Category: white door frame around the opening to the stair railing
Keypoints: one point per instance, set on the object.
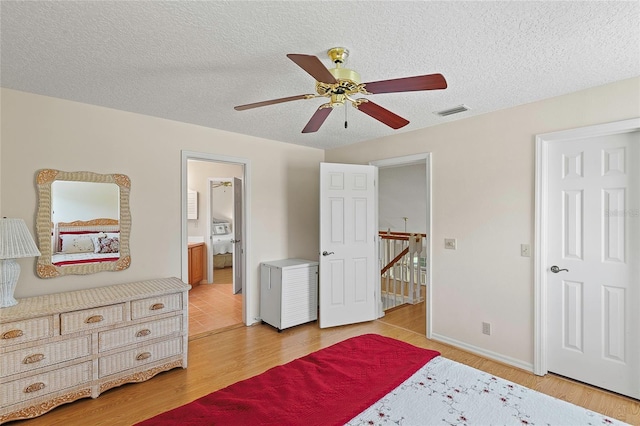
(408, 160)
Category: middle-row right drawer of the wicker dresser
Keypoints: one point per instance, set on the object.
(125, 336)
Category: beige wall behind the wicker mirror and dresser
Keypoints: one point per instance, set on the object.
(41, 132)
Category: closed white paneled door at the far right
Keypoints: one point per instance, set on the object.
(593, 261)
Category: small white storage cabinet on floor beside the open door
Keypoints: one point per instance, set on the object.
(288, 292)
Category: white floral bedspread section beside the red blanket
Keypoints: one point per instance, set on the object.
(445, 392)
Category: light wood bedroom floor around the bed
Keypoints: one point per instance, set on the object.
(218, 360)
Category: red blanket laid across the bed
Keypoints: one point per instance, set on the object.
(327, 387)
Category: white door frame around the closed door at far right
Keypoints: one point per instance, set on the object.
(541, 223)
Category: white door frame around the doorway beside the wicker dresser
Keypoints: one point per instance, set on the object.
(247, 292)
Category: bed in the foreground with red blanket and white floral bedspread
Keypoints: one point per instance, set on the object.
(377, 380)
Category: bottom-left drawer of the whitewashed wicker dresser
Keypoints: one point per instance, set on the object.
(42, 384)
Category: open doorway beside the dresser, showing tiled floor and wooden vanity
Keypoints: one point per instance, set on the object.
(214, 218)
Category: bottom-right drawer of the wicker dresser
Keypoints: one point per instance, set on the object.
(137, 357)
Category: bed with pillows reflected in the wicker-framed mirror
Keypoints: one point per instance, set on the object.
(77, 242)
